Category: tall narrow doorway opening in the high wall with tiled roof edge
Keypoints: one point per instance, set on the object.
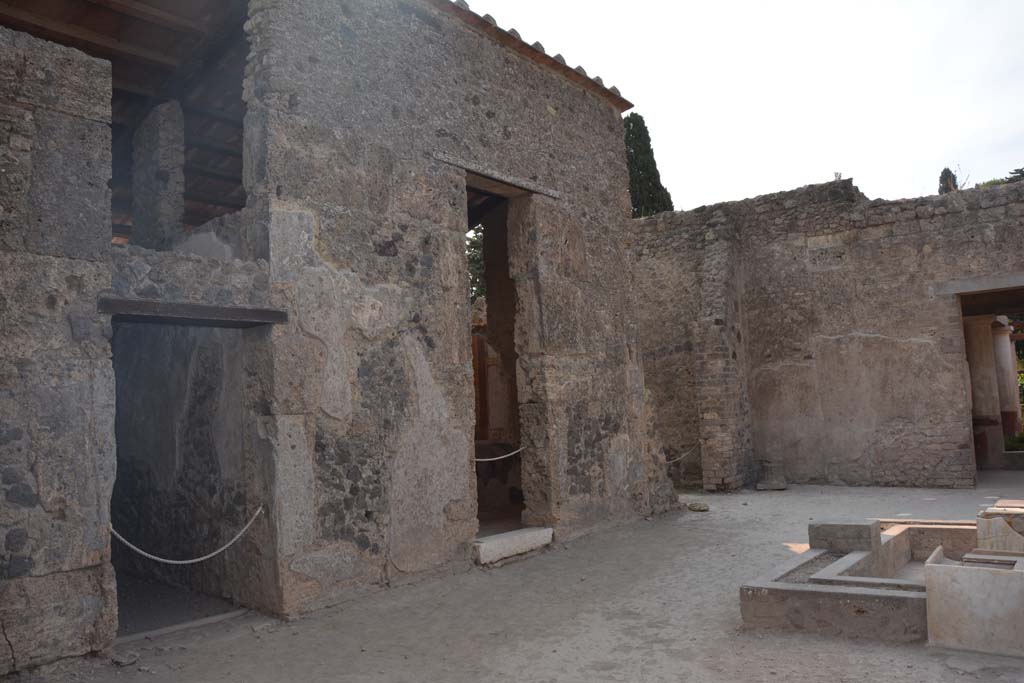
(498, 442)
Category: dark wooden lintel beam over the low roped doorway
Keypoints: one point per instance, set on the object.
(174, 313)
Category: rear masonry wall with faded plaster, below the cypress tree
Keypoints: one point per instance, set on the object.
(856, 370)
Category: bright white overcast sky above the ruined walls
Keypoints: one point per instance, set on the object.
(747, 98)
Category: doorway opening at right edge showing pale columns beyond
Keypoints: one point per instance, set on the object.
(994, 323)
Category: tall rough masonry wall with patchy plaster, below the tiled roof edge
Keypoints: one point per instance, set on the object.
(362, 117)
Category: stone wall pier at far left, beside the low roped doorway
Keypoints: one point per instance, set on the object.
(57, 383)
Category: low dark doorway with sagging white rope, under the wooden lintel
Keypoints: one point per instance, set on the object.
(182, 488)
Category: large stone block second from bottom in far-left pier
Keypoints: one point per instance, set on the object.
(58, 461)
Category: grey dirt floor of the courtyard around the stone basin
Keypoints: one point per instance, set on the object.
(649, 602)
